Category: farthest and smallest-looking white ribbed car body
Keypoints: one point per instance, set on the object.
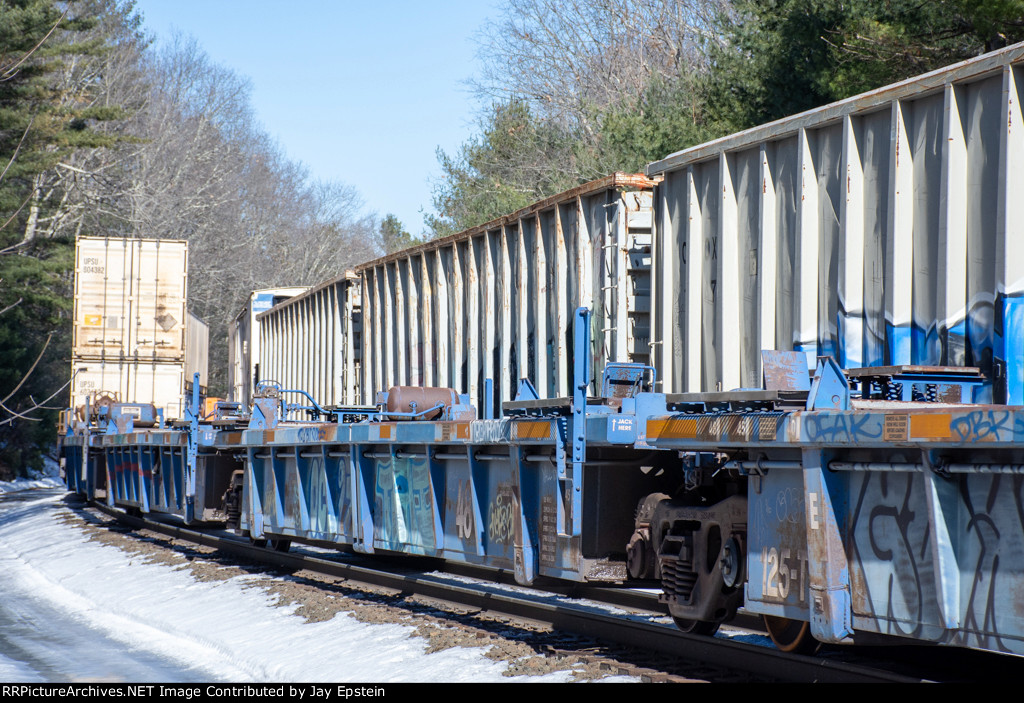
(313, 342)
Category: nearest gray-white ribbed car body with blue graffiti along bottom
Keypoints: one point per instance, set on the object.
(883, 230)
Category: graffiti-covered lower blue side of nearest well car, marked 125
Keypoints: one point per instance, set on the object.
(935, 559)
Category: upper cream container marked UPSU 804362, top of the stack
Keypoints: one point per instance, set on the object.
(131, 299)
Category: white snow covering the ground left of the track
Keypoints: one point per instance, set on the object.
(97, 596)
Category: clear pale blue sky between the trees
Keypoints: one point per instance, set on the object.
(360, 93)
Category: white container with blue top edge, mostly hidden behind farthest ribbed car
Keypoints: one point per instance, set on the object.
(243, 342)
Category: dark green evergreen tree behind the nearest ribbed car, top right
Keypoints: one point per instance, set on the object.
(786, 57)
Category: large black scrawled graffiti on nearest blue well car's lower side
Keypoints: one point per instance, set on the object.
(895, 578)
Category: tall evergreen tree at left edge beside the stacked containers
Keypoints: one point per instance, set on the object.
(45, 117)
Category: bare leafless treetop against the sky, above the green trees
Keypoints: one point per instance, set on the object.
(573, 59)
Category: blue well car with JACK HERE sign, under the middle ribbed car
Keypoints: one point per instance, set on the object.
(547, 491)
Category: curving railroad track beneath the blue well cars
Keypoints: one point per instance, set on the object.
(639, 631)
